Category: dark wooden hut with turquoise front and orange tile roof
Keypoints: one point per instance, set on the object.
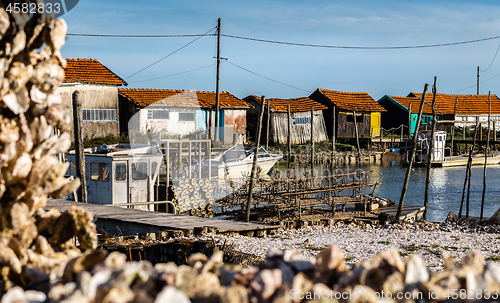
(404, 111)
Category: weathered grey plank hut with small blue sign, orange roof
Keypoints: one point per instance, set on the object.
(300, 114)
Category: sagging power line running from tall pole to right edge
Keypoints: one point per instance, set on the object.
(361, 47)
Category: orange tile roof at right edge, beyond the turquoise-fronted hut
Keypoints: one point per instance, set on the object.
(466, 105)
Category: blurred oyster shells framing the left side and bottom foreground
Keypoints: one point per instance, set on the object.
(40, 263)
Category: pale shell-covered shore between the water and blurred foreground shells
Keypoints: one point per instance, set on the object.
(361, 243)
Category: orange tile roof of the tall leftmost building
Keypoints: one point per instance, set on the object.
(90, 71)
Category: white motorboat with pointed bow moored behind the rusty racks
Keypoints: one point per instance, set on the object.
(236, 162)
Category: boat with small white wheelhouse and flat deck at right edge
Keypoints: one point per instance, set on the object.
(441, 155)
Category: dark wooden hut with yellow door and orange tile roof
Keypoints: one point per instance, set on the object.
(344, 105)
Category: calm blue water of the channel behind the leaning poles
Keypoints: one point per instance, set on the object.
(445, 189)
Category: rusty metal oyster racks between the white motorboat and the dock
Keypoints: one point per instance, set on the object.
(296, 197)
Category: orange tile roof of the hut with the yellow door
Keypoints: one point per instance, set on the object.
(358, 101)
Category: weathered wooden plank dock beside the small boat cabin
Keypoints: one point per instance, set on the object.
(121, 221)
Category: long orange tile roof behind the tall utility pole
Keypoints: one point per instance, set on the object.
(184, 98)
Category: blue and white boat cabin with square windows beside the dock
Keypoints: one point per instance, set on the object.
(120, 174)
